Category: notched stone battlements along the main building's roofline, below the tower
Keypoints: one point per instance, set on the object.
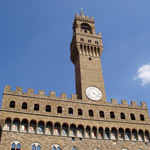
(63, 96)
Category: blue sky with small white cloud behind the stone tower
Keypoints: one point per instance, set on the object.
(35, 41)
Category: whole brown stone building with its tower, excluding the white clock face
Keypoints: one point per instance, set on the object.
(48, 122)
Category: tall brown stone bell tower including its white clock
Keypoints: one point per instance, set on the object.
(86, 49)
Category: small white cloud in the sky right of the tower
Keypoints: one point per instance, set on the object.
(143, 74)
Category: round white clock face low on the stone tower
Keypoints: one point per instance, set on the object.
(93, 93)
